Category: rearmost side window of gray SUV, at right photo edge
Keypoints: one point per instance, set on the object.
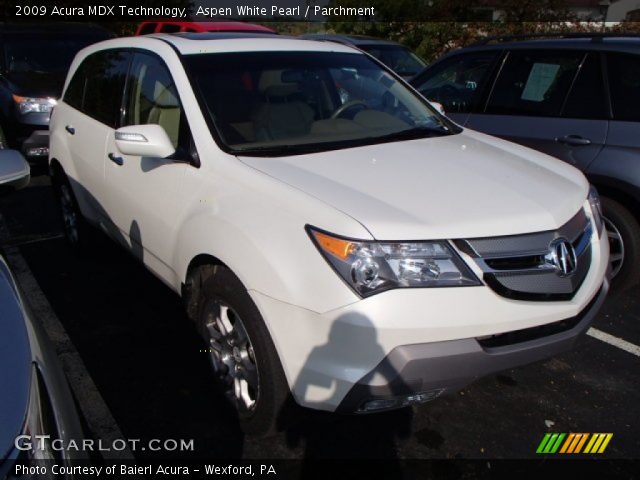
(624, 81)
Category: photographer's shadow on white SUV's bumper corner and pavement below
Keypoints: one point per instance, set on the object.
(324, 435)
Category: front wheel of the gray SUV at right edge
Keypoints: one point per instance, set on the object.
(623, 232)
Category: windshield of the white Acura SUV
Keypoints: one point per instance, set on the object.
(273, 103)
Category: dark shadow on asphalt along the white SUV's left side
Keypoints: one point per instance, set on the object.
(142, 352)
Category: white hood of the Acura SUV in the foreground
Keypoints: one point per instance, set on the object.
(457, 186)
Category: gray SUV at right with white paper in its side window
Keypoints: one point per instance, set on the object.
(575, 98)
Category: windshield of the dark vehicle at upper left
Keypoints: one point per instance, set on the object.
(42, 55)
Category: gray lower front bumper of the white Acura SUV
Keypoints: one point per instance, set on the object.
(435, 368)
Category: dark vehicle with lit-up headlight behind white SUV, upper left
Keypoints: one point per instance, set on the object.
(34, 59)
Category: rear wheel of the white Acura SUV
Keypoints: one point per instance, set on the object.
(77, 230)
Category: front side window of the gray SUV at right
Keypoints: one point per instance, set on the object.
(457, 83)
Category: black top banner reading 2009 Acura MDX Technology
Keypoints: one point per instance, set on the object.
(582, 11)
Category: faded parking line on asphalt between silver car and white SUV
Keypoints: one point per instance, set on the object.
(95, 410)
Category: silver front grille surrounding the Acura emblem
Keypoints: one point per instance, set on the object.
(519, 267)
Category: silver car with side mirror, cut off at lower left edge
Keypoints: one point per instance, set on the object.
(35, 398)
